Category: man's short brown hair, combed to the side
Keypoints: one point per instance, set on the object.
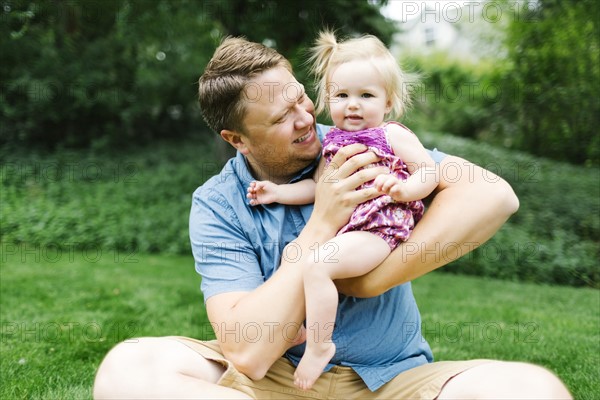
(221, 86)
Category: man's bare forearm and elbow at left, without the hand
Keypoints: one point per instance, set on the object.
(256, 328)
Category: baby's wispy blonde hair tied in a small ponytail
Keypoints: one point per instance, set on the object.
(328, 54)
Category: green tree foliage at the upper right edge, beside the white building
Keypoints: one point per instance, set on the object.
(554, 51)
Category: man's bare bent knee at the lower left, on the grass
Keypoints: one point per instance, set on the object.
(154, 368)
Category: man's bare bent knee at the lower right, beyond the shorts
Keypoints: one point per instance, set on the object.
(505, 380)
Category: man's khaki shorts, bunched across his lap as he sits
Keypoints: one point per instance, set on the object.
(424, 382)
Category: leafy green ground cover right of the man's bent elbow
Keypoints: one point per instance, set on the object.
(555, 235)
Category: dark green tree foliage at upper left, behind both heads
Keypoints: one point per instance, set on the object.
(88, 72)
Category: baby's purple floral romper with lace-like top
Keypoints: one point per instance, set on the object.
(392, 221)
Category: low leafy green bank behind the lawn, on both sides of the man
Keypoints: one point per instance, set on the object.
(139, 200)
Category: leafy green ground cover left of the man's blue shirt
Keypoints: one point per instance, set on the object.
(130, 201)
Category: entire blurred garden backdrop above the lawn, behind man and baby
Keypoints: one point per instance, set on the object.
(102, 141)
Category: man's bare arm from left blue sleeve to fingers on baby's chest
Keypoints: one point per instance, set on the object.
(255, 328)
